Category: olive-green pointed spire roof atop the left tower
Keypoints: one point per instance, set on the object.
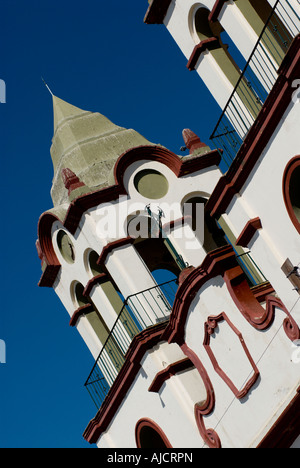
(88, 144)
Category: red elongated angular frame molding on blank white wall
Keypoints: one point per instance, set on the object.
(209, 330)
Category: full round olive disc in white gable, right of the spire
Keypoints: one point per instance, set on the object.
(151, 184)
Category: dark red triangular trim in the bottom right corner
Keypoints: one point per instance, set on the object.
(286, 429)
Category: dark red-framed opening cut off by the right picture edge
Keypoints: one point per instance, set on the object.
(291, 189)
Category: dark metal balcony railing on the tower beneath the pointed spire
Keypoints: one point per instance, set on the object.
(139, 311)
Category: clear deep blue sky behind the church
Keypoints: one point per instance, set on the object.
(99, 56)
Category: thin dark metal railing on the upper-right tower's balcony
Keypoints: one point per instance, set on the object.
(256, 81)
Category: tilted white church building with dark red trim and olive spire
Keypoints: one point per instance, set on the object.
(182, 272)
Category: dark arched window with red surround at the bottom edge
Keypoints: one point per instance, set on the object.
(149, 435)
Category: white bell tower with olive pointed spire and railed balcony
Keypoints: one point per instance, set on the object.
(127, 220)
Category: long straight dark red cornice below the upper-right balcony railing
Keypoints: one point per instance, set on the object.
(260, 133)
